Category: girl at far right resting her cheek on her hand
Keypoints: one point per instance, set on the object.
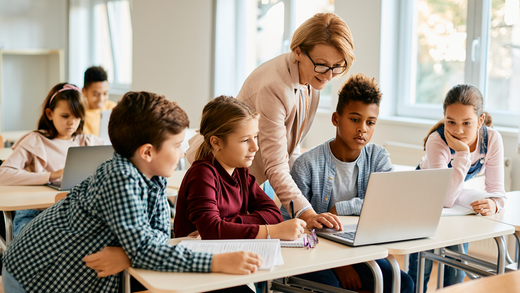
(464, 140)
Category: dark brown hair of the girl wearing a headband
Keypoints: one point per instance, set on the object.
(73, 98)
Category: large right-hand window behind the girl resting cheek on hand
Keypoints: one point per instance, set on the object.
(447, 42)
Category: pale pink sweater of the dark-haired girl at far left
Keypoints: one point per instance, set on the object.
(34, 157)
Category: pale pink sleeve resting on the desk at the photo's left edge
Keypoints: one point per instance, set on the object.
(13, 171)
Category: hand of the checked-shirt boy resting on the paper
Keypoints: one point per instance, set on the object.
(237, 263)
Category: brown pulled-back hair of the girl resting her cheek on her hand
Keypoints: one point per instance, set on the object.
(467, 95)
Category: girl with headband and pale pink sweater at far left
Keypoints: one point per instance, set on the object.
(39, 156)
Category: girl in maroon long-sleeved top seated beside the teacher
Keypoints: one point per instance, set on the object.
(218, 197)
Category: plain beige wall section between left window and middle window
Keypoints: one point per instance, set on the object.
(173, 51)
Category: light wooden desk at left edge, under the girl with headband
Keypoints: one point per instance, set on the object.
(14, 198)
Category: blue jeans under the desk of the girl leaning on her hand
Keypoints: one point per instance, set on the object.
(451, 275)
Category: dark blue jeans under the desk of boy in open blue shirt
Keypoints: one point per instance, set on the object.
(365, 274)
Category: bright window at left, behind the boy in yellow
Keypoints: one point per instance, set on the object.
(101, 34)
